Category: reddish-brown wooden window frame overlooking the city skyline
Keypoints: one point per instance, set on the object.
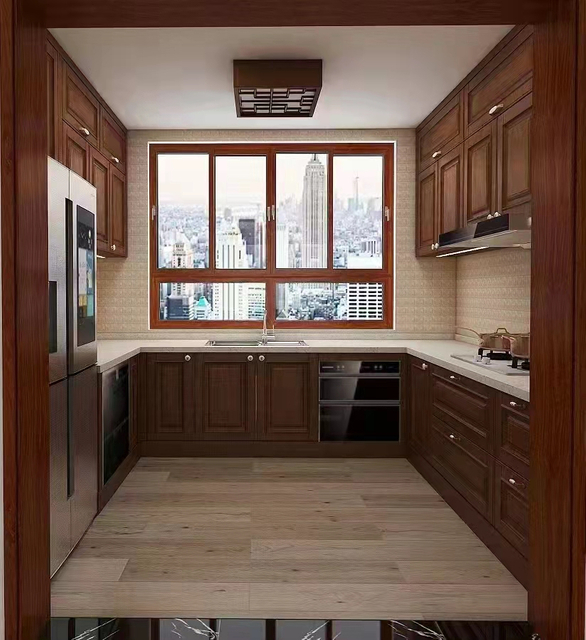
(271, 275)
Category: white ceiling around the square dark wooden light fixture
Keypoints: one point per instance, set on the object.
(373, 77)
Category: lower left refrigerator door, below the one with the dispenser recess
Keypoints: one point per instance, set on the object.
(60, 505)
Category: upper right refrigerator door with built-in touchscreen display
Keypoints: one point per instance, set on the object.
(81, 276)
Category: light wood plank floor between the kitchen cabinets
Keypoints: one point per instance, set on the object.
(346, 539)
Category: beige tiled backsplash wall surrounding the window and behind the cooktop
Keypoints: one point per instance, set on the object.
(426, 289)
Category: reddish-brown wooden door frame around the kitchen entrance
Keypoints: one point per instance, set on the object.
(558, 379)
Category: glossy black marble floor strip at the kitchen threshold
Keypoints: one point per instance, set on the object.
(245, 629)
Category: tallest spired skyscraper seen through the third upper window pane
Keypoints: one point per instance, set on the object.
(315, 221)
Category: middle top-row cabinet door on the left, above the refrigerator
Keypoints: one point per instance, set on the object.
(81, 108)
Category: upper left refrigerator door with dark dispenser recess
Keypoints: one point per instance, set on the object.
(58, 187)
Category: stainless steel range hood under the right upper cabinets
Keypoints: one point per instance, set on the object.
(506, 230)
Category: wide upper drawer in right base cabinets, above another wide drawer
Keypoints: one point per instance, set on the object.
(465, 405)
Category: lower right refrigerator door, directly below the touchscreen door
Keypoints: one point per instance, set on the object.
(83, 425)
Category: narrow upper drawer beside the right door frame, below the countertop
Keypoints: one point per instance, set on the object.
(512, 436)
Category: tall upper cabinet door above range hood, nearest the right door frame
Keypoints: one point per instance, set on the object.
(514, 157)
